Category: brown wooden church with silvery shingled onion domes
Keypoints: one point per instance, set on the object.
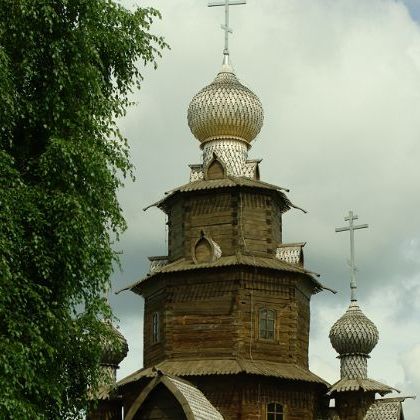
(227, 310)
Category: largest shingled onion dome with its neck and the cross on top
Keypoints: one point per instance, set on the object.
(226, 116)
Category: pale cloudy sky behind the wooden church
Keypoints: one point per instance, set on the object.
(339, 81)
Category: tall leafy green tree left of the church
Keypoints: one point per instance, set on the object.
(66, 70)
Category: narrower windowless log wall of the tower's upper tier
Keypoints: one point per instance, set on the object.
(237, 220)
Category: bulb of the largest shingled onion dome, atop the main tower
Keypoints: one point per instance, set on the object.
(225, 109)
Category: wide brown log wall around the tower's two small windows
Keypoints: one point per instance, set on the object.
(214, 314)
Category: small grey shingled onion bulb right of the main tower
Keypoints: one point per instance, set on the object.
(354, 332)
